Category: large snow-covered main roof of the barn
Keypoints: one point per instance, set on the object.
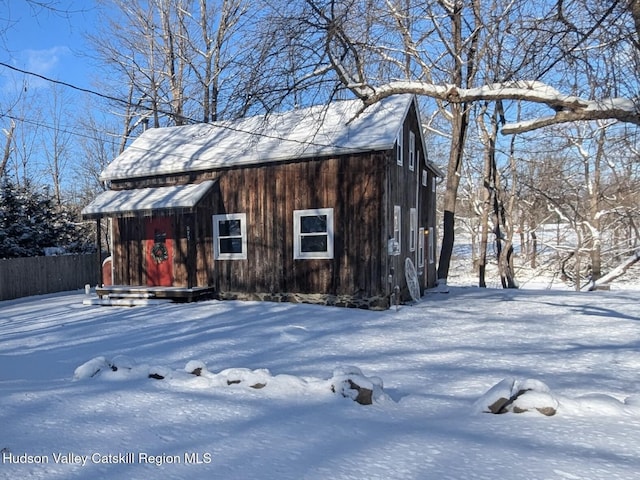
(336, 129)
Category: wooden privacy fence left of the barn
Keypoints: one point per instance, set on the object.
(23, 277)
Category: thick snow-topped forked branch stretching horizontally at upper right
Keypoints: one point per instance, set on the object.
(567, 108)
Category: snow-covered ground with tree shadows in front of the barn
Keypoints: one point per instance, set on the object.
(61, 418)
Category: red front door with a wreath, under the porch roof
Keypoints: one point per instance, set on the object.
(159, 252)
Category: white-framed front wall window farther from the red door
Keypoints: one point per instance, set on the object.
(313, 230)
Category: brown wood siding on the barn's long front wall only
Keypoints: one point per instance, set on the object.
(268, 194)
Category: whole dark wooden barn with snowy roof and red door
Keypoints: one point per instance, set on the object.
(330, 204)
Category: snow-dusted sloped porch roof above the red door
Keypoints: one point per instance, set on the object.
(147, 201)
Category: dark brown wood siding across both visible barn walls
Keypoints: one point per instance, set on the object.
(362, 189)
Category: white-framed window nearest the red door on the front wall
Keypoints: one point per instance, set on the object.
(230, 236)
